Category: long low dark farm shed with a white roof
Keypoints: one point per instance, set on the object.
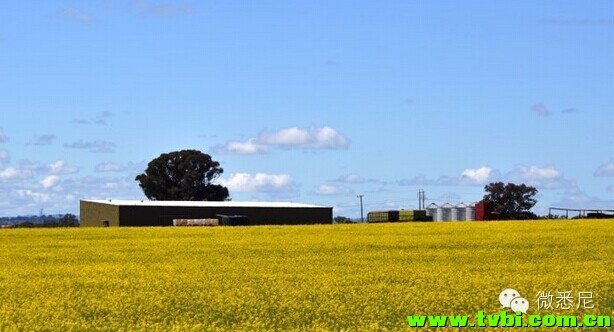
(97, 213)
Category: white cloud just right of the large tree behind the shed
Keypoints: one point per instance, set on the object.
(259, 182)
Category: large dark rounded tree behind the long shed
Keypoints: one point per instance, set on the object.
(185, 175)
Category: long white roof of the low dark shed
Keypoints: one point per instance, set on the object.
(119, 202)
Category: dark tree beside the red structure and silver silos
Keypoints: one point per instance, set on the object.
(510, 200)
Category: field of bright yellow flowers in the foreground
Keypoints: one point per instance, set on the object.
(363, 277)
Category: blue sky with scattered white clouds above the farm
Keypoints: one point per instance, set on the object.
(309, 101)
